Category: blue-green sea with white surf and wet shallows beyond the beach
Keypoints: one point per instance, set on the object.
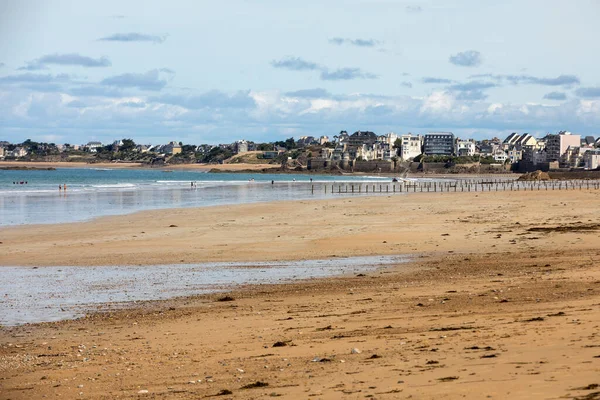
(94, 192)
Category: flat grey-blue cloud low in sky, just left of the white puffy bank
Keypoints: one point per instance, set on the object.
(212, 99)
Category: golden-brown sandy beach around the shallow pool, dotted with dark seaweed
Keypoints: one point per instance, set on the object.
(502, 301)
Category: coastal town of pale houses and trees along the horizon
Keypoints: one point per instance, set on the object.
(361, 151)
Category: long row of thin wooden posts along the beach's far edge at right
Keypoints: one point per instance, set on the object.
(454, 186)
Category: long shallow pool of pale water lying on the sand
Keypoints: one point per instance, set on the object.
(30, 295)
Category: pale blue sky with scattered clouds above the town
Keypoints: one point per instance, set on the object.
(265, 70)
